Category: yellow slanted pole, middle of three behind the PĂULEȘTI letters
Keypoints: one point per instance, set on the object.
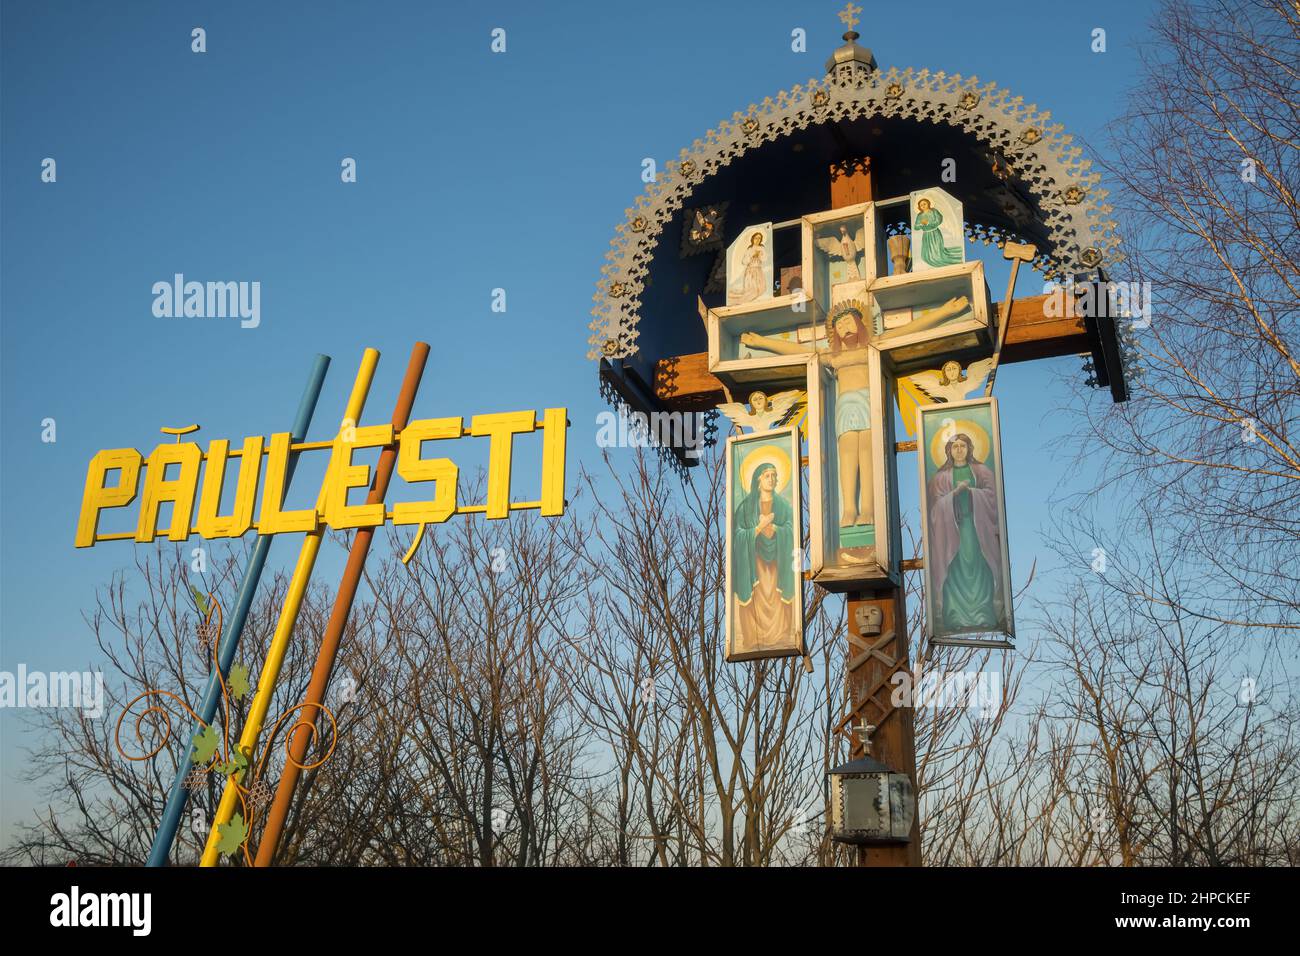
(285, 626)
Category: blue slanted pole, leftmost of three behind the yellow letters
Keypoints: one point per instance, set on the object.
(179, 795)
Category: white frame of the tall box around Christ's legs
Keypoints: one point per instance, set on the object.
(824, 546)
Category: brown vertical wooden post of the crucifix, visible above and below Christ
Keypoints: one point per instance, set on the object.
(881, 656)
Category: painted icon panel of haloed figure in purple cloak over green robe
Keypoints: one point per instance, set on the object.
(964, 521)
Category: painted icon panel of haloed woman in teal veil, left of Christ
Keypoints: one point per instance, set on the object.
(765, 547)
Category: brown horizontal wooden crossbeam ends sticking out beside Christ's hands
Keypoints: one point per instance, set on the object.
(684, 384)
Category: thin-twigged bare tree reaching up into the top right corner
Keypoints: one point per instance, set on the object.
(1207, 162)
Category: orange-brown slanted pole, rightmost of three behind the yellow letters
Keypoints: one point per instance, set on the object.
(305, 730)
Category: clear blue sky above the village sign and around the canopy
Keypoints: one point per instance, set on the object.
(475, 171)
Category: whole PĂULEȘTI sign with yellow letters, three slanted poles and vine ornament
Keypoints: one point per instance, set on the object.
(114, 479)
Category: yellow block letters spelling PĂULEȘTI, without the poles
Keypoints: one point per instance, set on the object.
(341, 477)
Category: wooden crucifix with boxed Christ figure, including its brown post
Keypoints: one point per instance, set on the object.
(868, 314)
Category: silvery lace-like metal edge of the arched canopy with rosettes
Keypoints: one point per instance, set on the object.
(1071, 206)
